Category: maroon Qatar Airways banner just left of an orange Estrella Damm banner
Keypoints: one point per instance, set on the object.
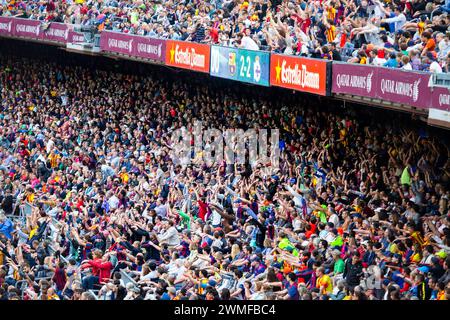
(133, 45)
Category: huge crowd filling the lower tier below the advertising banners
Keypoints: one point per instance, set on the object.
(94, 205)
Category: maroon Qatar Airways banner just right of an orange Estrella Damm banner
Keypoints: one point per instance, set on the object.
(394, 85)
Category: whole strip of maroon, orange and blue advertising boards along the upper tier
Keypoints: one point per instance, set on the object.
(257, 67)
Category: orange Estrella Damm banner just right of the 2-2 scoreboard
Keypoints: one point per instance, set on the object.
(302, 74)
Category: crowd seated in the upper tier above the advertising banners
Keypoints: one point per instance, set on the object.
(407, 34)
